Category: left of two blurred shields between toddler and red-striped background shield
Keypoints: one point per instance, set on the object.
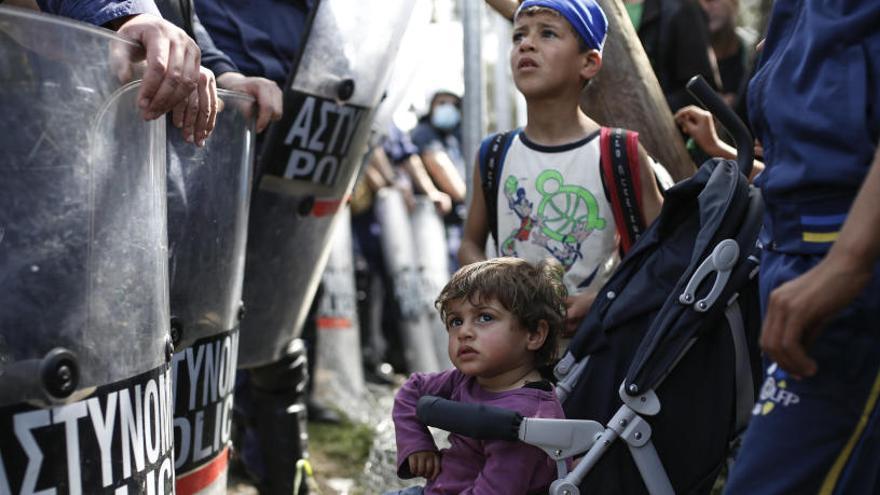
(399, 250)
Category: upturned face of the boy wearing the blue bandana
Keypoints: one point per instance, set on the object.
(545, 58)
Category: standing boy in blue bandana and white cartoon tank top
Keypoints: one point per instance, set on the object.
(551, 197)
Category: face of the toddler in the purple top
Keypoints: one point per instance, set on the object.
(486, 341)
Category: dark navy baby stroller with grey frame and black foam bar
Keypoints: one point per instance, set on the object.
(667, 358)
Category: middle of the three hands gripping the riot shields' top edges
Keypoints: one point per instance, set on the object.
(197, 114)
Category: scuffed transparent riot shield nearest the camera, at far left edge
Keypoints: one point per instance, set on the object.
(84, 342)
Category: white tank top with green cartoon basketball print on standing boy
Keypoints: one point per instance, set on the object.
(551, 203)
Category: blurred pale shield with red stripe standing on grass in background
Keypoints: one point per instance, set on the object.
(339, 370)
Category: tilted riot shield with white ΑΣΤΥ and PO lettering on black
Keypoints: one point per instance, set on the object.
(309, 164)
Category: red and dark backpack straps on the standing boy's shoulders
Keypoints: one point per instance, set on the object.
(619, 161)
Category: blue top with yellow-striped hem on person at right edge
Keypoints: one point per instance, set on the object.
(814, 105)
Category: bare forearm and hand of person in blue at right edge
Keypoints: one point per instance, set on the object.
(798, 310)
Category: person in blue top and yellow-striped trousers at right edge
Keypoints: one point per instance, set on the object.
(815, 106)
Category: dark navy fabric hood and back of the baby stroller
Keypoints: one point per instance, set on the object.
(680, 318)
